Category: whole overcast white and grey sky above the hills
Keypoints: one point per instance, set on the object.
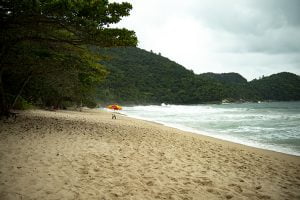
(250, 37)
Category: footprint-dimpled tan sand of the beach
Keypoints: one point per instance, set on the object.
(87, 155)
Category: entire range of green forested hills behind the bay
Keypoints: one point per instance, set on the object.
(137, 76)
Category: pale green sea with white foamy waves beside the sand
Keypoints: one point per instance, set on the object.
(268, 125)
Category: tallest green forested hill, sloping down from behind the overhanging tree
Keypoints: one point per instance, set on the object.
(139, 77)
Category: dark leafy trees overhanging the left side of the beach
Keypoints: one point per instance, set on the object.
(45, 49)
